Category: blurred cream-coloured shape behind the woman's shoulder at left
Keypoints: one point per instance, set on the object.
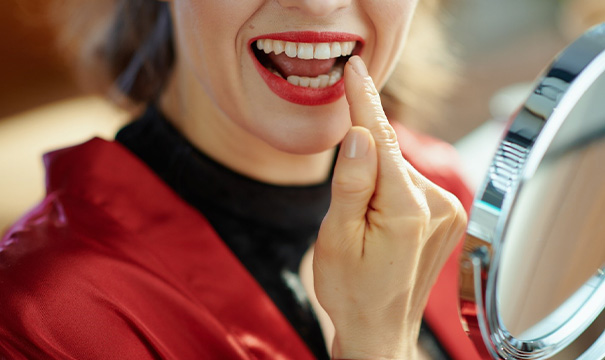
(26, 136)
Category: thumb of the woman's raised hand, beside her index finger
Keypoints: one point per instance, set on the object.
(354, 178)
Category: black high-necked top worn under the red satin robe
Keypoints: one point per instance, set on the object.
(268, 227)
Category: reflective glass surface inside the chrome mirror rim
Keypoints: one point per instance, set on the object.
(553, 254)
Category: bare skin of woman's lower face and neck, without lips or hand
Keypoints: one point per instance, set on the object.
(218, 100)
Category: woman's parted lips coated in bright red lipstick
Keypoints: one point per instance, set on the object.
(298, 94)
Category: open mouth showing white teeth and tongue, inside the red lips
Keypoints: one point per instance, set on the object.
(308, 65)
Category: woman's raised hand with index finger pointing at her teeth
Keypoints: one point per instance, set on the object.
(386, 236)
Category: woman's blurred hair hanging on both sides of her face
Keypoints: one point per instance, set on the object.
(125, 48)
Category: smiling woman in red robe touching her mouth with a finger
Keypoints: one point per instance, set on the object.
(186, 237)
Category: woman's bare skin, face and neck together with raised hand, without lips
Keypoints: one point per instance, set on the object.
(389, 230)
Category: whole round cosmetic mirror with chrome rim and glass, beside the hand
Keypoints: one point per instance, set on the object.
(532, 281)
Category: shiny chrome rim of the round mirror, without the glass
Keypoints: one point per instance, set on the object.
(520, 152)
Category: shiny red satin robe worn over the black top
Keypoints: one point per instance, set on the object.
(113, 265)
